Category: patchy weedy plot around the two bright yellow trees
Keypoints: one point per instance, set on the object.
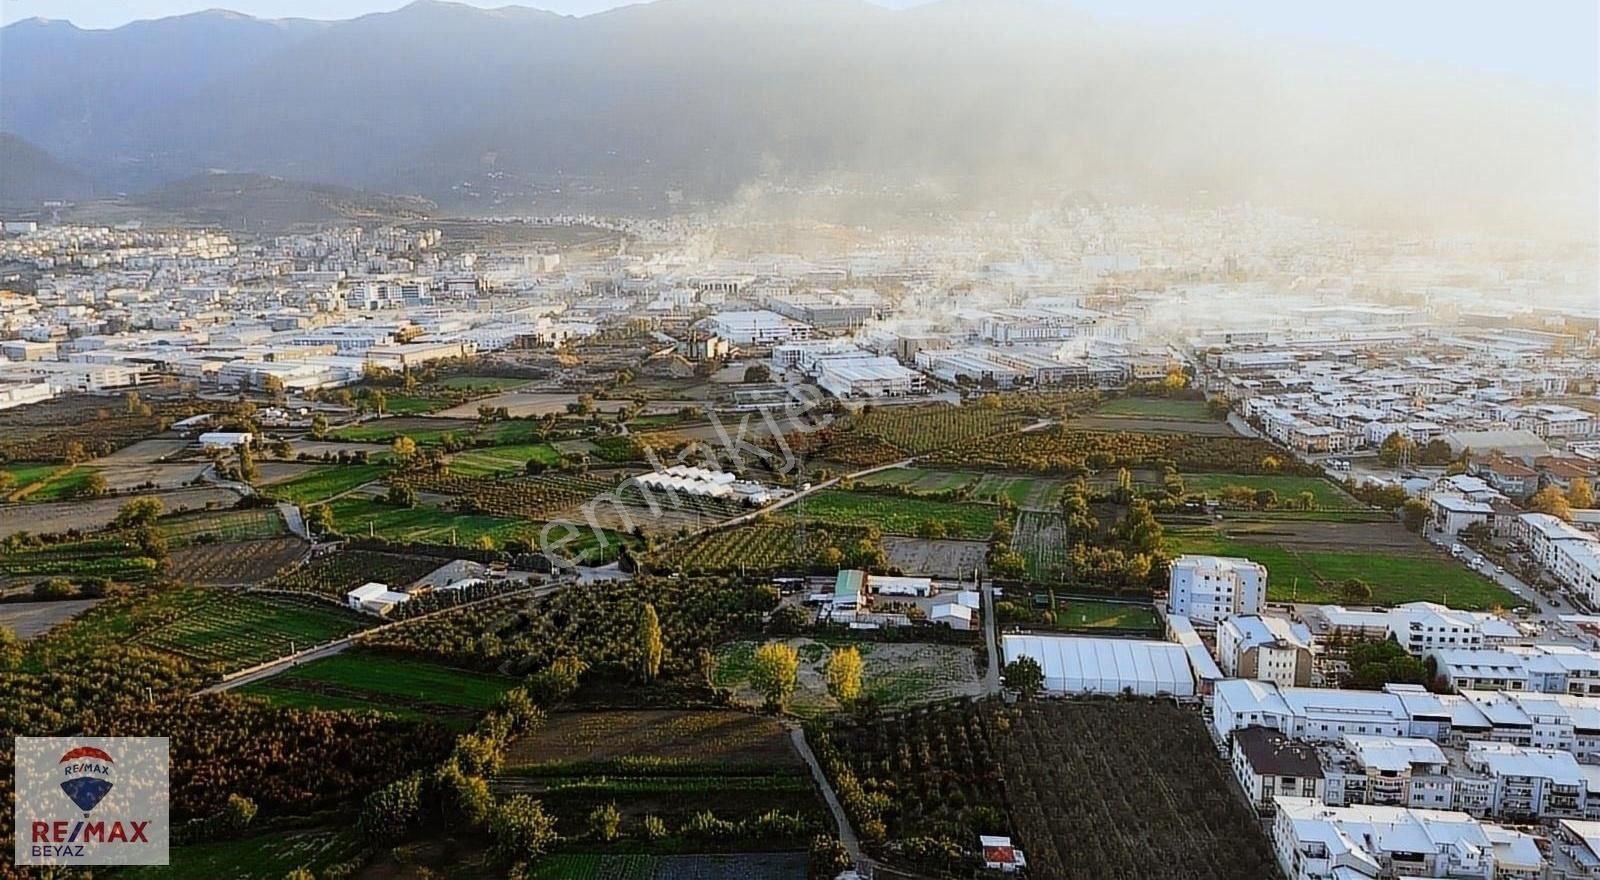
(895, 674)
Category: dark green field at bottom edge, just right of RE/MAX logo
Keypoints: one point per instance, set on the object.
(270, 857)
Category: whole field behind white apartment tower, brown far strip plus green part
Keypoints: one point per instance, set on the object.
(1308, 562)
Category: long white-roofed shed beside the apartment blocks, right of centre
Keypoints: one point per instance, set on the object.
(1110, 666)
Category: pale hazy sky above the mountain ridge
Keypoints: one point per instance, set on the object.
(1551, 42)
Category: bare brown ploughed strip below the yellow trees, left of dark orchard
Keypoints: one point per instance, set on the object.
(674, 737)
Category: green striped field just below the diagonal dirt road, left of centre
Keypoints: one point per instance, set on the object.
(406, 689)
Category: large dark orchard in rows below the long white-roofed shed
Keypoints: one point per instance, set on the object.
(1089, 790)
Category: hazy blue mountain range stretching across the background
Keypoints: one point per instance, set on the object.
(969, 103)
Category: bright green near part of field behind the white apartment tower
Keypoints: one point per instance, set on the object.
(1316, 575)
